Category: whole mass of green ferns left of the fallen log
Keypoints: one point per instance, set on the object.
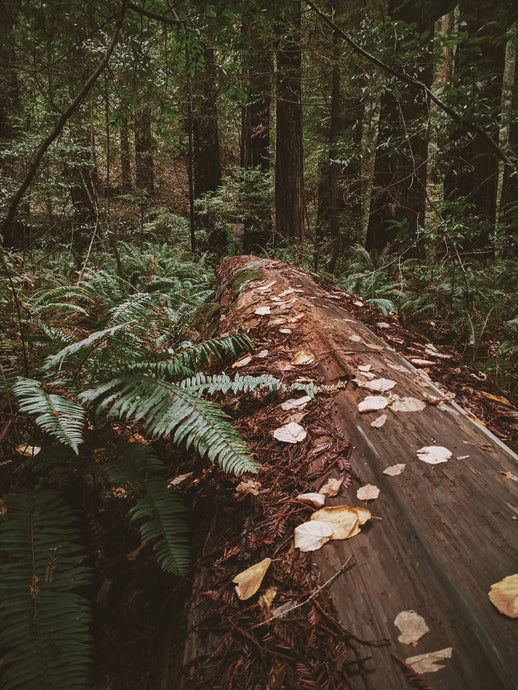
(92, 373)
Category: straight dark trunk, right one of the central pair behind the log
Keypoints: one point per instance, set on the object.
(289, 158)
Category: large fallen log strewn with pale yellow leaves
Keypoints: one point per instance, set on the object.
(446, 531)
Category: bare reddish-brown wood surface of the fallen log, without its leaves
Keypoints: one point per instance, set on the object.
(447, 532)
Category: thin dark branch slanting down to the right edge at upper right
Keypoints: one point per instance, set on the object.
(402, 76)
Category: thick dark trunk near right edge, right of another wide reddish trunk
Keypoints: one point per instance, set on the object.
(479, 67)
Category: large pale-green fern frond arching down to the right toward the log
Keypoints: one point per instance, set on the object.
(167, 409)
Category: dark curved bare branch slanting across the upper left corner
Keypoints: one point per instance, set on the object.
(58, 127)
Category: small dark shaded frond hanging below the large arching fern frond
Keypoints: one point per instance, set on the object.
(164, 525)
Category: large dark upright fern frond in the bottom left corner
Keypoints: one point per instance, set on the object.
(44, 622)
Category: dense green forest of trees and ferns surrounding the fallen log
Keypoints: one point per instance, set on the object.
(141, 142)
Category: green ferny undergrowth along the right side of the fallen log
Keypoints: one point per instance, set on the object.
(460, 302)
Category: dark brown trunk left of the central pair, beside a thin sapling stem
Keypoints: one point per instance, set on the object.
(205, 130)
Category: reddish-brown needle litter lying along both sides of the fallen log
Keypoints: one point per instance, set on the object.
(237, 521)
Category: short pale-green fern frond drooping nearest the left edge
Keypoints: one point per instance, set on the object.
(58, 416)
